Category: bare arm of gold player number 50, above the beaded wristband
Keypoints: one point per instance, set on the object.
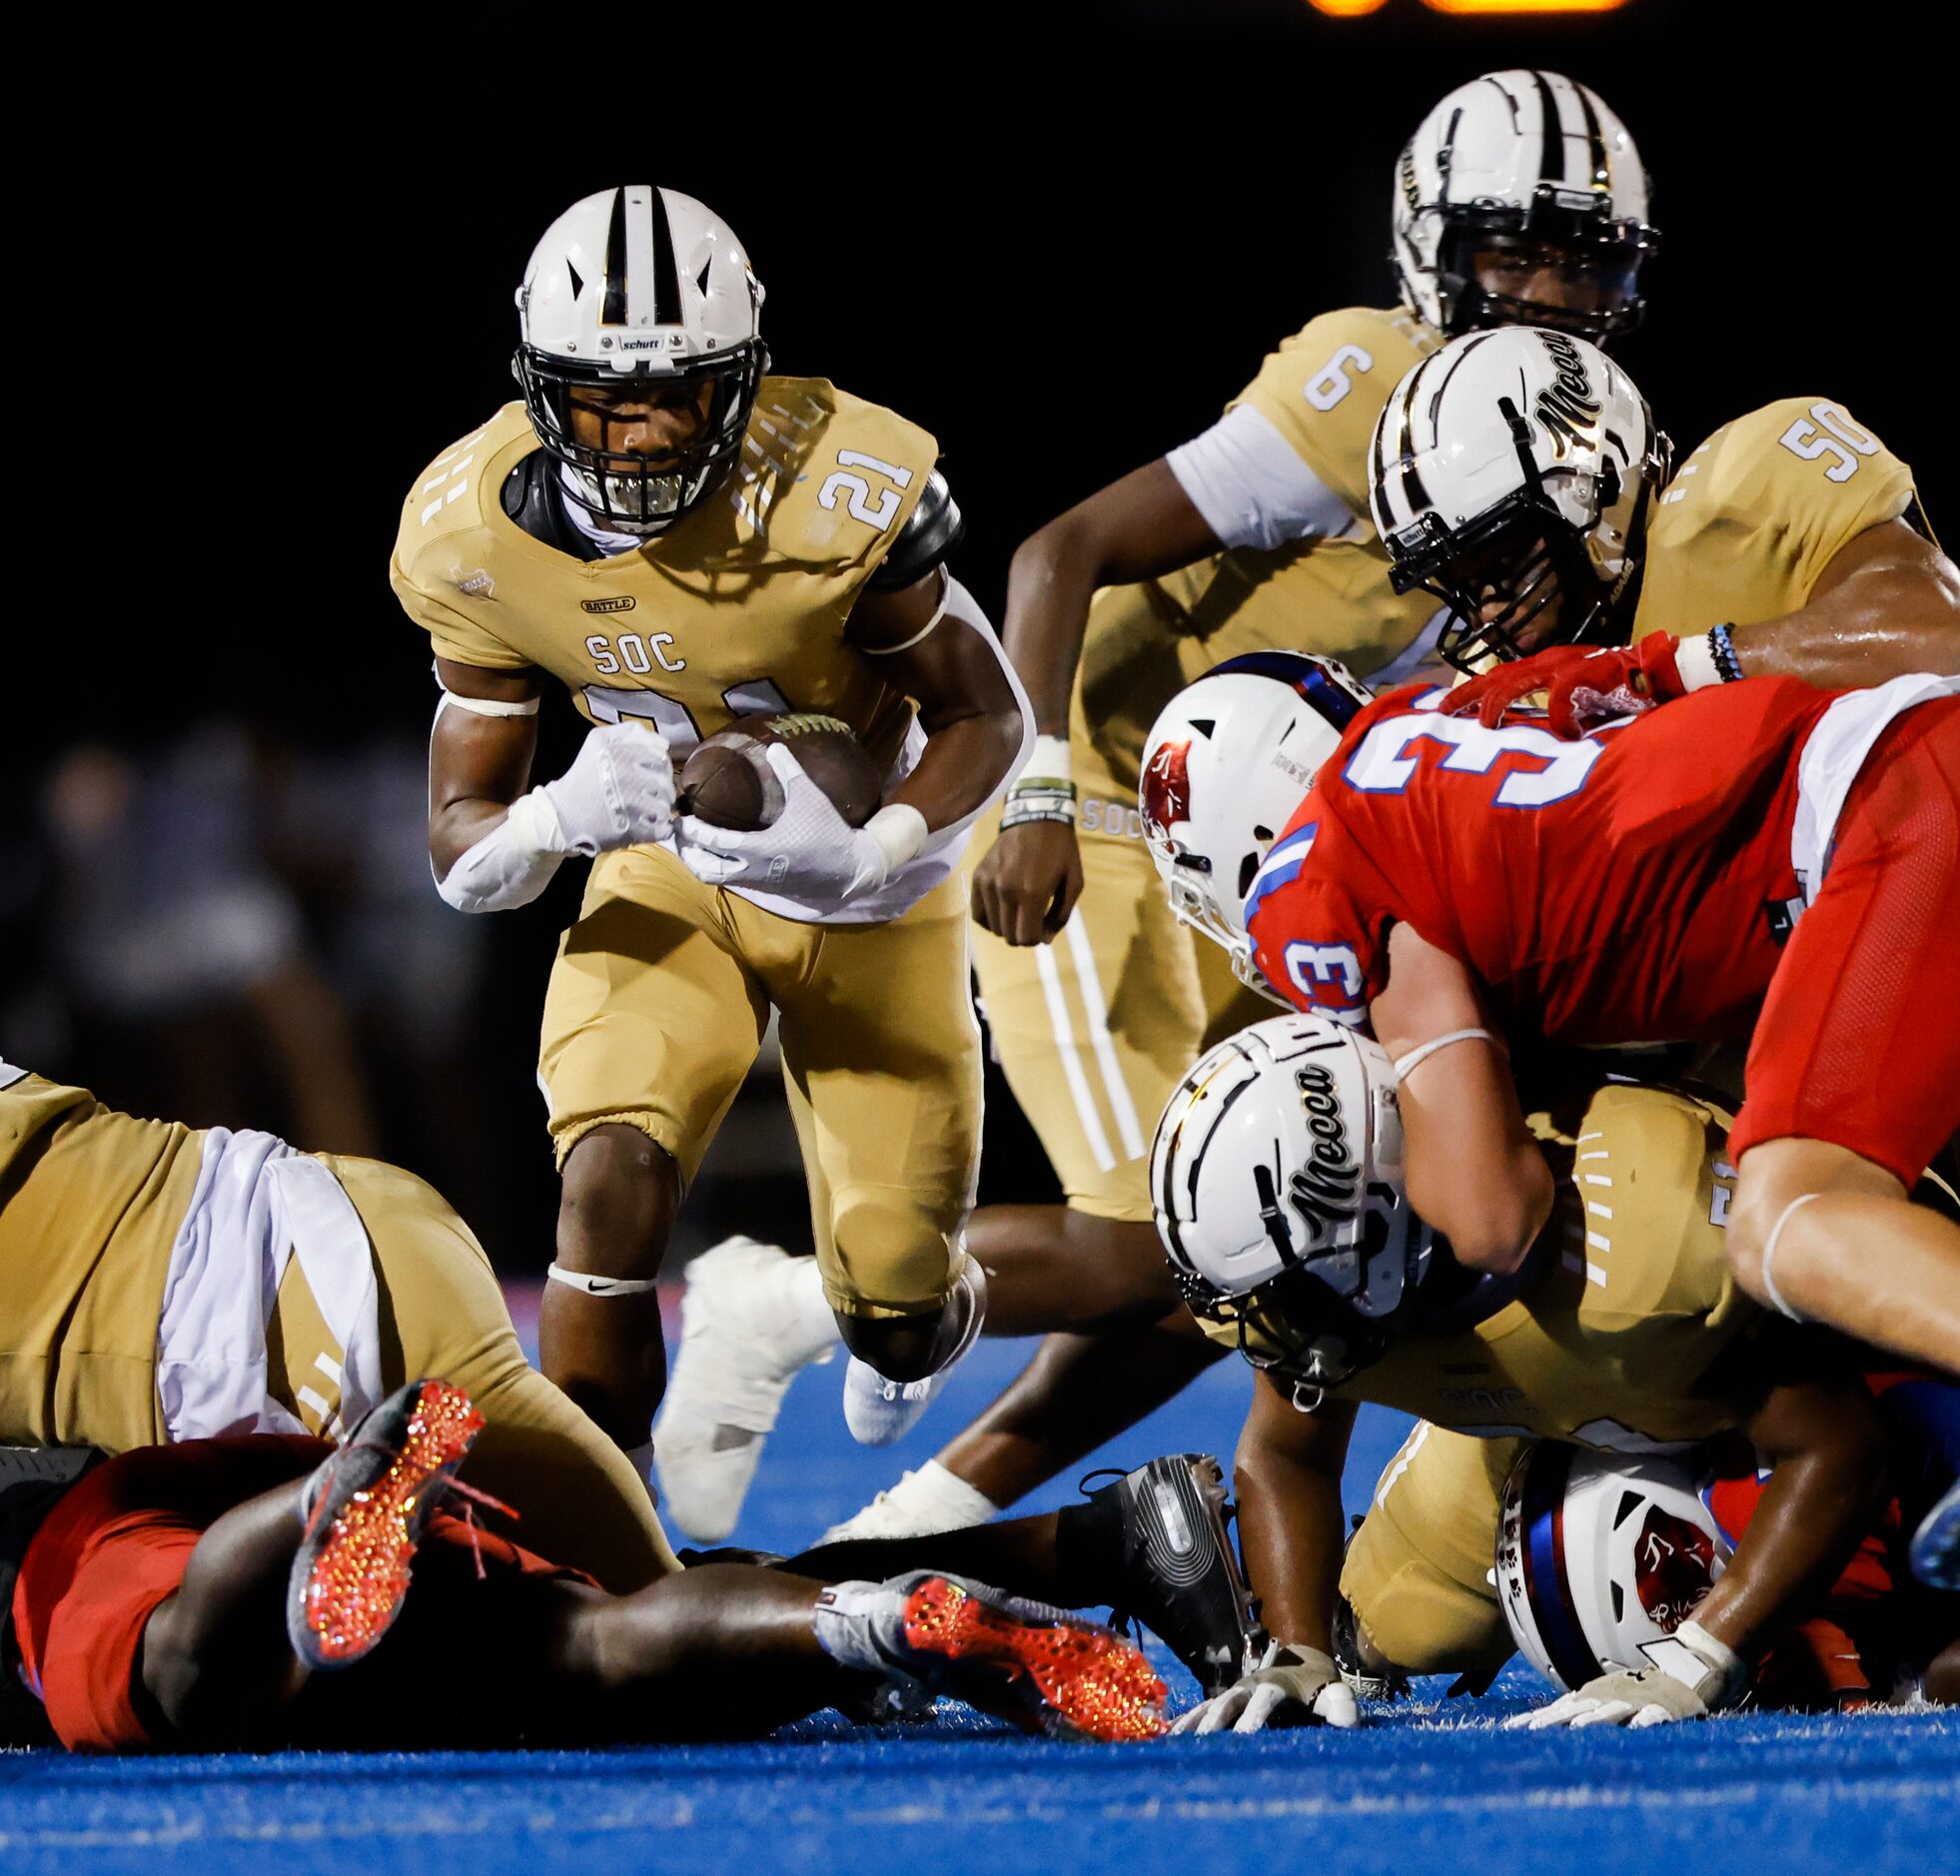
(1894, 617)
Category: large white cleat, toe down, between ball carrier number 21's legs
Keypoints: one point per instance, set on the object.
(752, 1320)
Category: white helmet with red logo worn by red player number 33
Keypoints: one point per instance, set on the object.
(1224, 769)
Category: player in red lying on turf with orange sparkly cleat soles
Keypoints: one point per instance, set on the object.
(191, 1599)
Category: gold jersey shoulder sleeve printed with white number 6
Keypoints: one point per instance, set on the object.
(1326, 387)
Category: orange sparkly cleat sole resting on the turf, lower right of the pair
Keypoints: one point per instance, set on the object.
(1022, 1661)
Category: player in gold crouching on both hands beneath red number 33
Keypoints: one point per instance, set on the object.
(1279, 1171)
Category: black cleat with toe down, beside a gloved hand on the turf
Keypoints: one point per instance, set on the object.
(1181, 1569)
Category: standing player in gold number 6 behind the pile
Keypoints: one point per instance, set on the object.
(1522, 197)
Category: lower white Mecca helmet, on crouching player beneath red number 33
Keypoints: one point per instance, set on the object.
(1277, 1177)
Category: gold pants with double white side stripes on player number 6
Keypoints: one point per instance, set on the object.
(1097, 1028)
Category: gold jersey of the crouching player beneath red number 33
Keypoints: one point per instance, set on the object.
(1624, 1342)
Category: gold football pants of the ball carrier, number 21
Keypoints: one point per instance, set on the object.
(658, 1009)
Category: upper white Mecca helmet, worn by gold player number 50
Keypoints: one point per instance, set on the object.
(1516, 469)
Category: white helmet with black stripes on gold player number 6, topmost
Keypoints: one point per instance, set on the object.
(1504, 170)
